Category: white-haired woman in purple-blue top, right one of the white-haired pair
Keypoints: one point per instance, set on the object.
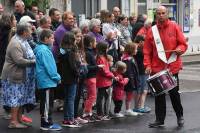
(95, 29)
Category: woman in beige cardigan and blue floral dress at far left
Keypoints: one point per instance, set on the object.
(17, 75)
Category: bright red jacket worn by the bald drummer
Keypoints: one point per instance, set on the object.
(172, 38)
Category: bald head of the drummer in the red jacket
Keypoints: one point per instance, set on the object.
(161, 14)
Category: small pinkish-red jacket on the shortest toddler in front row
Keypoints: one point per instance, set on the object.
(118, 87)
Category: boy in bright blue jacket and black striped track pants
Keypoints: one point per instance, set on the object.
(47, 79)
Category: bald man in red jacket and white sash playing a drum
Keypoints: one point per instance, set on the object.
(173, 40)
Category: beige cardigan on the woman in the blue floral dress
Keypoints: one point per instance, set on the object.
(15, 64)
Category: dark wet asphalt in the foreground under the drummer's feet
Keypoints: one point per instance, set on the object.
(138, 124)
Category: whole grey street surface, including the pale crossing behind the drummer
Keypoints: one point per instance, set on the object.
(190, 95)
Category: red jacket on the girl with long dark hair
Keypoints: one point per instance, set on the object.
(104, 75)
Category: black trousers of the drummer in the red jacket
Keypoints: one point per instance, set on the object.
(160, 103)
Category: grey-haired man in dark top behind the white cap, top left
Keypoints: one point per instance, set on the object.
(20, 11)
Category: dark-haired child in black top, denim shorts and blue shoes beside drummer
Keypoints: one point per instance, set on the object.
(143, 89)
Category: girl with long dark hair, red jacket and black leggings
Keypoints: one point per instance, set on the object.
(104, 80)
